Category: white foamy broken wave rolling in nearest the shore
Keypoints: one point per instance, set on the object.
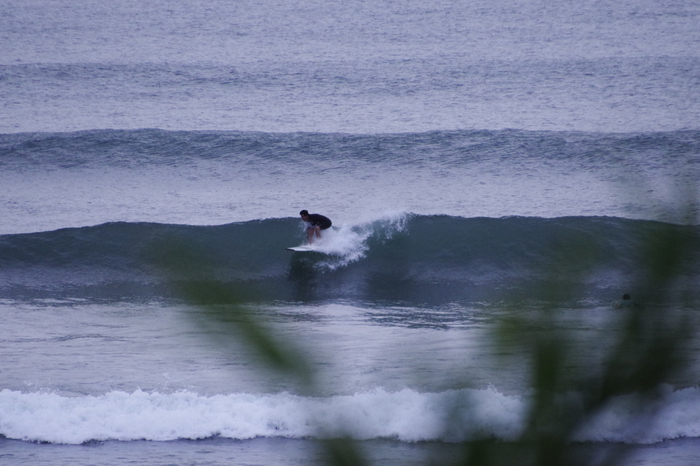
(408, 416)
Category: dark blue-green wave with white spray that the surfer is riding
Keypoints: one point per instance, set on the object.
(402, 258)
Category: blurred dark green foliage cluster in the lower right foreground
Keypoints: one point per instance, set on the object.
(650, 348)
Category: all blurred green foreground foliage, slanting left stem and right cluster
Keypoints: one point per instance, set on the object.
(650, 347)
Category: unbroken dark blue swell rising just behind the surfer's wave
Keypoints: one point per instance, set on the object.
(153, 147)
